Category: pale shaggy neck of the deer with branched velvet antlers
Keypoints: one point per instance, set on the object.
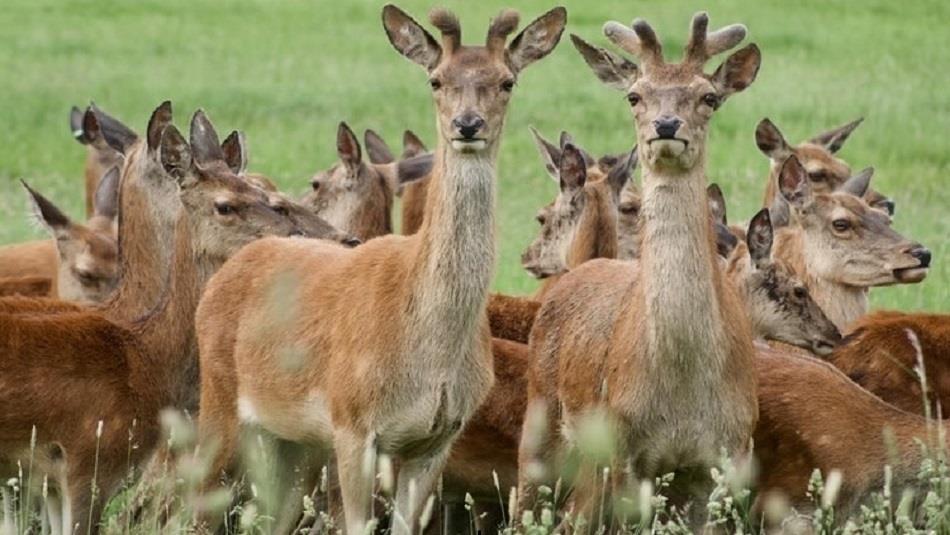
(680, 280)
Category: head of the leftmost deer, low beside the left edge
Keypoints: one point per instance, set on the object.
(88, 254)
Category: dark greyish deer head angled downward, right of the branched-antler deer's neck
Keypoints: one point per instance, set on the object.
(779, 303)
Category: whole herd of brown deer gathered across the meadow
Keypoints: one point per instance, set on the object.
(197, 285)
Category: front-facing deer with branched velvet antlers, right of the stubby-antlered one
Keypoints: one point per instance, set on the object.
(674, 328)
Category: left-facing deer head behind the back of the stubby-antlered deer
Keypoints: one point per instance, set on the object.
(357, 197)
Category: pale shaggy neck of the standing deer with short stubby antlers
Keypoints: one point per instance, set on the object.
(455, 259)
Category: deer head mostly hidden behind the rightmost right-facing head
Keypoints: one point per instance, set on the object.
(826, 172)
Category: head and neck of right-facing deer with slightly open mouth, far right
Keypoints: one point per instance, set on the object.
(840, 246)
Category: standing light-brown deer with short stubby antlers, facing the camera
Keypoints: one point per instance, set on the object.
(361, 395)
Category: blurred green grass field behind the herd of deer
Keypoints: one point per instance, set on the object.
(287, 72)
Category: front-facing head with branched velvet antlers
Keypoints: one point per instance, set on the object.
(672, 103)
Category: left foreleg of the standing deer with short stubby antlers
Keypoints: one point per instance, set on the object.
(356, 466)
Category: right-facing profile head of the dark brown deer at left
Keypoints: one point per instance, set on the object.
(224, 211)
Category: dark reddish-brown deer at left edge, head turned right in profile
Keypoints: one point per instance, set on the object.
(118, 371)
